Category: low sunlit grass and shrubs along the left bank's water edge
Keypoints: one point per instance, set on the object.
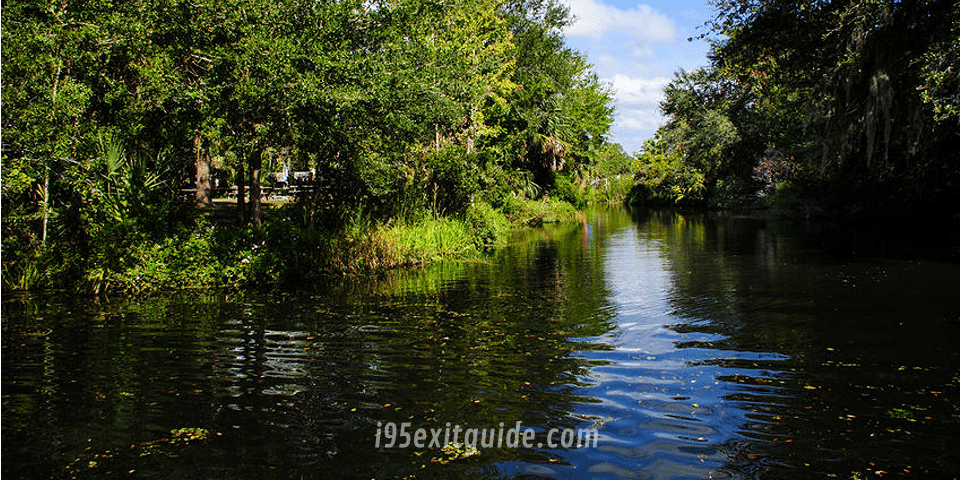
(213, 252)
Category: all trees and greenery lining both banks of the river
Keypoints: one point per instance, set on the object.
(430, 127)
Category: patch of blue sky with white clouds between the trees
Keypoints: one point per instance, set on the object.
(636, 48)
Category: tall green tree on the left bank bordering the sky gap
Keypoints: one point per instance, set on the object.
(561, 110)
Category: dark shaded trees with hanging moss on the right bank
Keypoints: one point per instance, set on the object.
(844, 108)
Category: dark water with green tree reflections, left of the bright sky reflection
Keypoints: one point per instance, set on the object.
(294, 384)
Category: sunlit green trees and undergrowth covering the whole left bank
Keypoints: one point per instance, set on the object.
(428, 128)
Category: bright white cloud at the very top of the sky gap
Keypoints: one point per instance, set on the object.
(594, 19)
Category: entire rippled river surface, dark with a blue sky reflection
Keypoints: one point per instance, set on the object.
(698, 345)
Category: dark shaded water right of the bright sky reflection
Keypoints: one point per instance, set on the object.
(841, 353)
